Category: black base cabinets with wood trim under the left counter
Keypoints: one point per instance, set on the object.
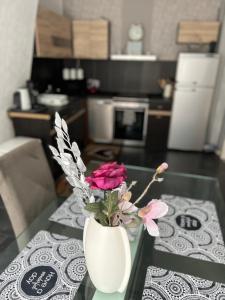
(41, 125)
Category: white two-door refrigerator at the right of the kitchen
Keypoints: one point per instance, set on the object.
(195, 81)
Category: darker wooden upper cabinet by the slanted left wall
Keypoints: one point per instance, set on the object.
(53, 35)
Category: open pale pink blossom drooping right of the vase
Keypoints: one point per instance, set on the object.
(154, 210)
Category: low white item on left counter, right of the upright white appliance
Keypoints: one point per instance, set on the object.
(53, 100)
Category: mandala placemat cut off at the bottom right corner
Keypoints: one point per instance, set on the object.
(161, 284)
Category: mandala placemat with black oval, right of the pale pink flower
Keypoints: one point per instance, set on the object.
(191, 228)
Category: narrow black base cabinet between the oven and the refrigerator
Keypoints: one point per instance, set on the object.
(158, 125)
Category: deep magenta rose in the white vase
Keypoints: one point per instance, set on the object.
(108, 176)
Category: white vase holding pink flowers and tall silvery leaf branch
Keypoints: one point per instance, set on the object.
(109, 217)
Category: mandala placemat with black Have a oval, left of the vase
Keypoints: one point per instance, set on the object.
(51, 266)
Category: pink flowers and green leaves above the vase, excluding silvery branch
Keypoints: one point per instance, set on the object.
(116, 207)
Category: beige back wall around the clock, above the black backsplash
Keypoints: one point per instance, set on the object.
(160, 19)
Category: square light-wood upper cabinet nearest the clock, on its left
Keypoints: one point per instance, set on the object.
(91, 39)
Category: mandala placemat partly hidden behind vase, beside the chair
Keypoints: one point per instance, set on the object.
(70, 213)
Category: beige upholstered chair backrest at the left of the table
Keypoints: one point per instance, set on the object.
(26, 183)
